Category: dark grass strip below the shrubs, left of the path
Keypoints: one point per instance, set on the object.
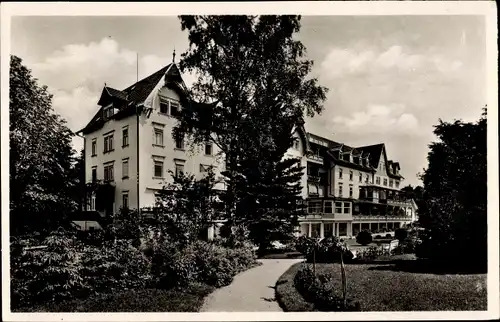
(188, 299)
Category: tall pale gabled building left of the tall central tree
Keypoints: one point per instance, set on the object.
(129, 140)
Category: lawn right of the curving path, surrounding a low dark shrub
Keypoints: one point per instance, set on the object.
(384, 287)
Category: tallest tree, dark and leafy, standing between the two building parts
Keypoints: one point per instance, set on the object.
(253, 73)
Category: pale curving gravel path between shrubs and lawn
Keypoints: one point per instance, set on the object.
(251, 291)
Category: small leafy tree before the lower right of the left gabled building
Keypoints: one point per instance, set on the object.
(185, 206)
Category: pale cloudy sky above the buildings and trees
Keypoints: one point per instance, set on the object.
(390, 78)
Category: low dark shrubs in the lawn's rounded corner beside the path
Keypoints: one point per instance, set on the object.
(320, 290)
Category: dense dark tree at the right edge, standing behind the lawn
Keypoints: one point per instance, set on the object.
(455, 194)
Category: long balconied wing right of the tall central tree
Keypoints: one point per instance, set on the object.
(349, 189)
